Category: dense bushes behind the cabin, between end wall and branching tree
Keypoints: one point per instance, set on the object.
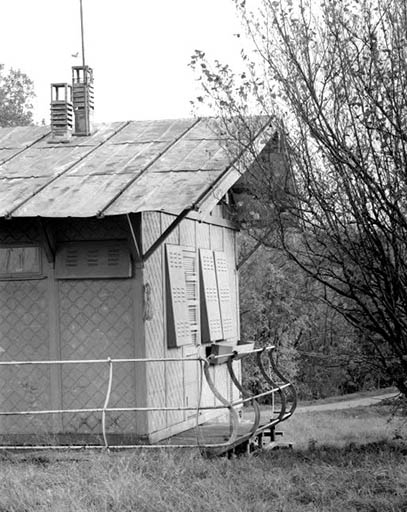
(283, 306)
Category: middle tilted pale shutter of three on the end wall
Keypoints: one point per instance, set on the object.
(211, 319)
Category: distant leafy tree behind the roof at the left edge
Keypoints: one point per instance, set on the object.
(16, 94)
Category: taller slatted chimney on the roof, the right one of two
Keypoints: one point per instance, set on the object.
(82, 95)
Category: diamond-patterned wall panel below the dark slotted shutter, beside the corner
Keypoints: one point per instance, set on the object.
(96, 322)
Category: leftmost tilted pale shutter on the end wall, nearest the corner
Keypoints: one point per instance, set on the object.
(178, 323)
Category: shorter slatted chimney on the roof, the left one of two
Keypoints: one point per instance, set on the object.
(61, 112)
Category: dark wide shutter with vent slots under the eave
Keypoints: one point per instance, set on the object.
(93, 260)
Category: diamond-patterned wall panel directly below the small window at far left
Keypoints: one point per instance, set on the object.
(24, 336)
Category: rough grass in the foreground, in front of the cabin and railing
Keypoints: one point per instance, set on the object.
(343, 460)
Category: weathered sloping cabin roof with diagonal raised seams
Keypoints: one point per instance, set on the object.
(164, 165)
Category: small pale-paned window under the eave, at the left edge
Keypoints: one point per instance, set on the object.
(20, 262)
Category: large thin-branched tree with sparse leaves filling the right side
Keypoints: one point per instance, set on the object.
(332, 78)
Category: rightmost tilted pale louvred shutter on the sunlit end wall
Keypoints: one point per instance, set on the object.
(225, 296)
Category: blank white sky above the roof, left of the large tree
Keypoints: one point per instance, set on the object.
(139, 50)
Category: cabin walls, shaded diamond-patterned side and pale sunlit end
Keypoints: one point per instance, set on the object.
(51, 318)
